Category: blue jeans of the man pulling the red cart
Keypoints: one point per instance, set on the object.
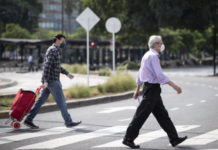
(55, 88)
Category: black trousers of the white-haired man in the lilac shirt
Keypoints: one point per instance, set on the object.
(151, 103)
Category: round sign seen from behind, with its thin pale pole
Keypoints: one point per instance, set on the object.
(113, 25)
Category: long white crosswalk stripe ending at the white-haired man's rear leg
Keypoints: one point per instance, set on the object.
(51, 144)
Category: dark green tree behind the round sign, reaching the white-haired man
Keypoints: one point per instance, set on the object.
(136, 17)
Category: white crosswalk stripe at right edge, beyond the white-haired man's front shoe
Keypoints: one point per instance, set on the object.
(203, 139)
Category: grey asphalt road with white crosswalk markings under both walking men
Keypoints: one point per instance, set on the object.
(194, 113)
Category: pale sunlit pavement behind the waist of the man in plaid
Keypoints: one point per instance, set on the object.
(32, 80)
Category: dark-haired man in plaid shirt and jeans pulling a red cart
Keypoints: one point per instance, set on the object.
(51, 80)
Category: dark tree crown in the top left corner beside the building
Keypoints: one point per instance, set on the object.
(22, 12)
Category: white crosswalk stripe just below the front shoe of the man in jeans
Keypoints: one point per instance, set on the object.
(46, 132)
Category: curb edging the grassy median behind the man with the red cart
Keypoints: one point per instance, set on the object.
(78, 103)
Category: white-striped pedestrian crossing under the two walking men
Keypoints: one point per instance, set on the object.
(76, 137)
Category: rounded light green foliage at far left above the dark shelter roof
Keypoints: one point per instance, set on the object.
(15, 31)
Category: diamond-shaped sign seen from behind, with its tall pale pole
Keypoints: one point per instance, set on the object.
(87, 19)
